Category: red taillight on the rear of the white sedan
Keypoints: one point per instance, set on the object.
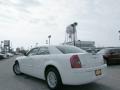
(75, 62)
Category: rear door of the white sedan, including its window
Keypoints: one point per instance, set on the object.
(43, 56)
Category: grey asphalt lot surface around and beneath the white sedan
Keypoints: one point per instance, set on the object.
(9, 81)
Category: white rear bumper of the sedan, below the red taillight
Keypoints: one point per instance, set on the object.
(83, 75)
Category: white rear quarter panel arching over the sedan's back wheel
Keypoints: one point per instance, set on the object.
(61, 62)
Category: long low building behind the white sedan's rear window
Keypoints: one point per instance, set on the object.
(86, 45)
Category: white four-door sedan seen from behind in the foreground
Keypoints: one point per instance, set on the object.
(60, 65)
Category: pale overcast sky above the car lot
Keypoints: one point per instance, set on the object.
(26, 22)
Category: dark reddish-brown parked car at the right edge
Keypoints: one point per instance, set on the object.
(111, 55)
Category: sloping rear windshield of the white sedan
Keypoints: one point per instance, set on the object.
(70, 49)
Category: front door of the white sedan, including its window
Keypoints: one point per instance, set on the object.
(29, 60)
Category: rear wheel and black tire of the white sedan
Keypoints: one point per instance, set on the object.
(53, 79)
